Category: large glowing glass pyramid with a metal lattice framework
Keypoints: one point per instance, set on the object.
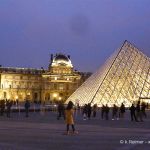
(124, 78)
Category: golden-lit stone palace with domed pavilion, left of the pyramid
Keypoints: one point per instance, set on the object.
(40, 84)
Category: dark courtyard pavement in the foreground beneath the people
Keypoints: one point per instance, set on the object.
(42, 131)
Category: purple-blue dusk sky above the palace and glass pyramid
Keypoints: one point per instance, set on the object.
(88, 30)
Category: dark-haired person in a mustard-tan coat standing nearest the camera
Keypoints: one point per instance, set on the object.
(69, 116)
